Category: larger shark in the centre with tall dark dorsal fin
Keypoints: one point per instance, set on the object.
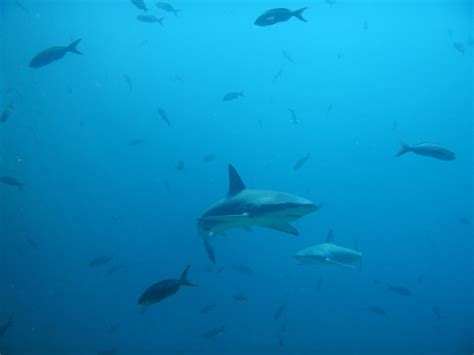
(243, 207)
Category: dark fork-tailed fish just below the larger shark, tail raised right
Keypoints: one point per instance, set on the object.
(164, 289)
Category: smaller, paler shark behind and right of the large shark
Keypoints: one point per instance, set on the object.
(330, 253)
